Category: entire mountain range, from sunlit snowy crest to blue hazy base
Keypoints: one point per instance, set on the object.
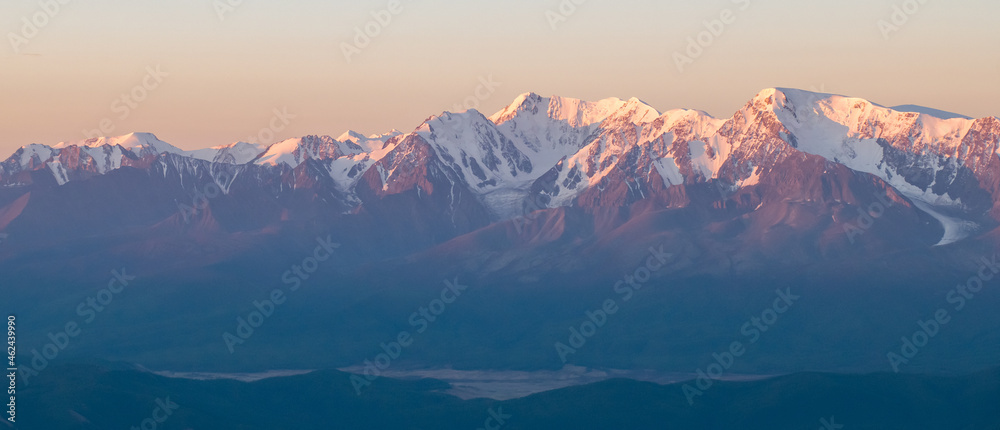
(544, 205)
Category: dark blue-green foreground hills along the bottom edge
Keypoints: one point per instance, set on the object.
(113, 396)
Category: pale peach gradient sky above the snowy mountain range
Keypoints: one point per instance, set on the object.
(227, 76)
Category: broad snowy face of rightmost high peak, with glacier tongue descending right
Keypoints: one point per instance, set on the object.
(863, 136)
